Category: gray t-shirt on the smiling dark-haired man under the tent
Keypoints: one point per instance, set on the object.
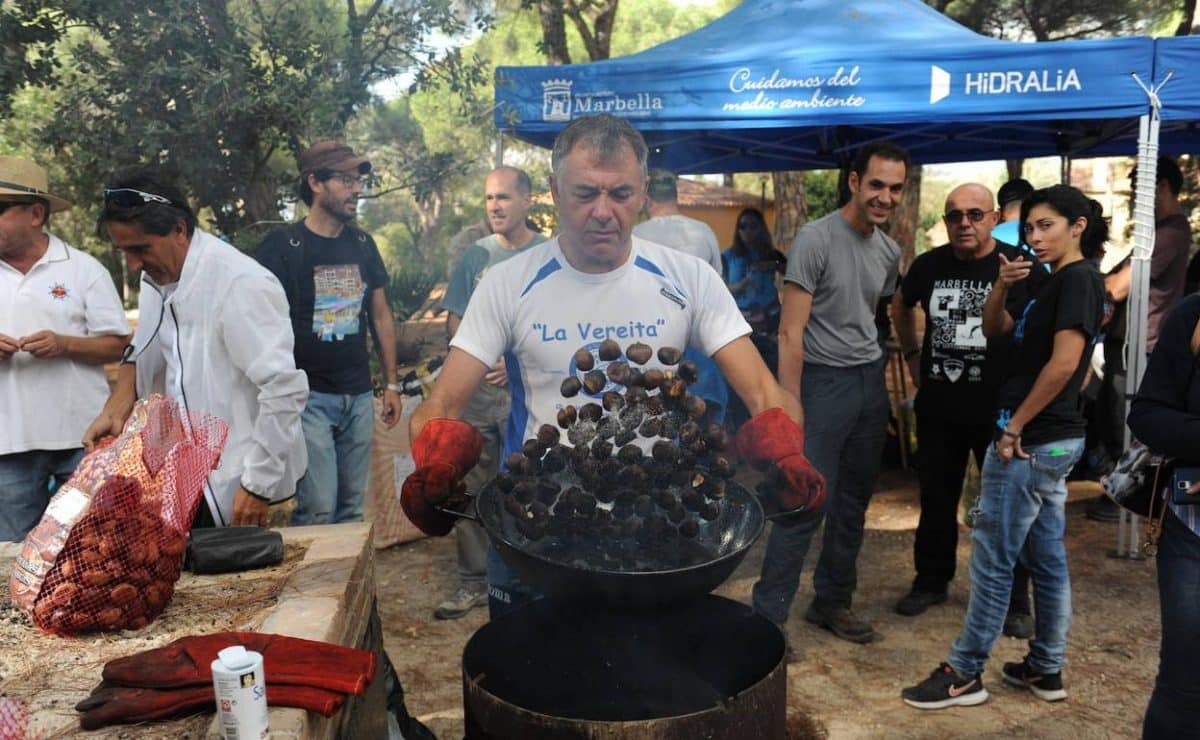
(848, 274)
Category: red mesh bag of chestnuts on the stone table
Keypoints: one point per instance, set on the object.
(110, 548)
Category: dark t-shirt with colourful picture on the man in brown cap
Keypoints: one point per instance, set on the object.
(329, 285)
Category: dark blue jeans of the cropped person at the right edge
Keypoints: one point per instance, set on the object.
(1174, 708)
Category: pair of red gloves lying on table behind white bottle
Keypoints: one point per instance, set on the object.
(177, 679)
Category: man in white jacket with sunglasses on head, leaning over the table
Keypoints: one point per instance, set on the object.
(213, 333)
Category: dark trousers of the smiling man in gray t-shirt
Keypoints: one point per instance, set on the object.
(845, 425)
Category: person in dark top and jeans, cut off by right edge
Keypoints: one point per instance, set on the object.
(1166, 417)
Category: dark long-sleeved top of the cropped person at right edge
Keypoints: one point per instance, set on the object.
(1166, 413)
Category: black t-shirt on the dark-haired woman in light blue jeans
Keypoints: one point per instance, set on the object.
(1073, 298)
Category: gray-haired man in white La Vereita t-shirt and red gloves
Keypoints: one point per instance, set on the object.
(592, 282)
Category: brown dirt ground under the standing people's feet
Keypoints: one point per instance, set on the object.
(853, 691)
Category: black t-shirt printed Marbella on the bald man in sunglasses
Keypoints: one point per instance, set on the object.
(961, 370)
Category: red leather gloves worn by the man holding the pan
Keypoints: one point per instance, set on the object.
(447, 450)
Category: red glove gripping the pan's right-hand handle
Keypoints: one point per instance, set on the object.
(772, 438)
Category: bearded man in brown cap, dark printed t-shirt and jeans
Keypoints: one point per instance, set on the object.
(335, 281)
